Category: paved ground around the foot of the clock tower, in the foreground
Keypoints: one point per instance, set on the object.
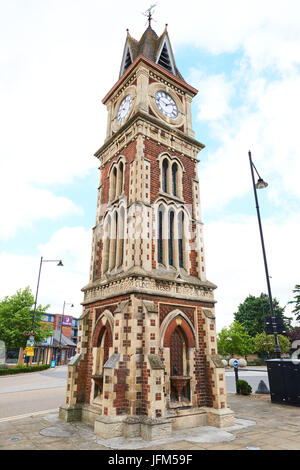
(260, 425)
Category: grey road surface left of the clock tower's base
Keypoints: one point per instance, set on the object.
(32, 392)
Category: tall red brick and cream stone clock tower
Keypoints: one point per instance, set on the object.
(147, 357)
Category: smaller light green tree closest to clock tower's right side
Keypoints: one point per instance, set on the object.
(235, 340)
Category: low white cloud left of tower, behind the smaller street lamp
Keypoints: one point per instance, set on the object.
(57, 284)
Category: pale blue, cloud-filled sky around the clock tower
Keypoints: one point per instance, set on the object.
(59, 58)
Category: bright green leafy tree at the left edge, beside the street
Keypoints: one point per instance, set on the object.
(16, 313)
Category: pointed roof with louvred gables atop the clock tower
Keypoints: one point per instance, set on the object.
(154, 47)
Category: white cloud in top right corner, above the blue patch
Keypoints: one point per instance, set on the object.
(266, 32)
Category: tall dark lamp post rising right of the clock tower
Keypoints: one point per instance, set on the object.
(260, 185)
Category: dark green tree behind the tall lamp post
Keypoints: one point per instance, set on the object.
(252, 311)
